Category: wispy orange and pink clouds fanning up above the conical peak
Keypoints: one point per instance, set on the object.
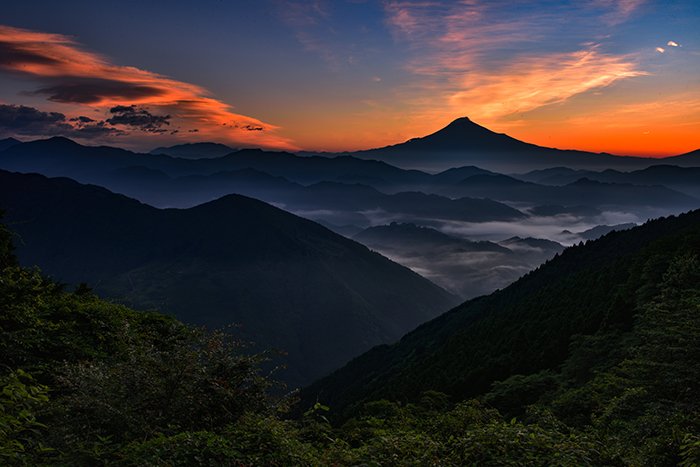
(493, 59)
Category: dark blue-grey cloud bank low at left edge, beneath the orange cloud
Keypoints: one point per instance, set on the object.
(23, 120)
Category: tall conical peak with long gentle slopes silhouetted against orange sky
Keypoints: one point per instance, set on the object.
(464, 142)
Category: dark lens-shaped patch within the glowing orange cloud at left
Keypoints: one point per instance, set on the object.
(90, 91)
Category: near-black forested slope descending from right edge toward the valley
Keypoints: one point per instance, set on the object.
(525, 328)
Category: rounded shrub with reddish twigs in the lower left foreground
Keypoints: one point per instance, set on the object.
(189, 381)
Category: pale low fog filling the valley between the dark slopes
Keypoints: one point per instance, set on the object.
(471, 259)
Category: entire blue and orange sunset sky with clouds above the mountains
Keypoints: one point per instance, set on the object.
(617, 76)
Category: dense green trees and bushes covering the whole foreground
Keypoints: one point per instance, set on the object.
(86, 382)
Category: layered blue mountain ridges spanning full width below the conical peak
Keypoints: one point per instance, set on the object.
(322, 187)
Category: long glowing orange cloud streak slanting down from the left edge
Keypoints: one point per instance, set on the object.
(81, 79)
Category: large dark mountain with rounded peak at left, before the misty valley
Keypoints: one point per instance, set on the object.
(291, 284)
